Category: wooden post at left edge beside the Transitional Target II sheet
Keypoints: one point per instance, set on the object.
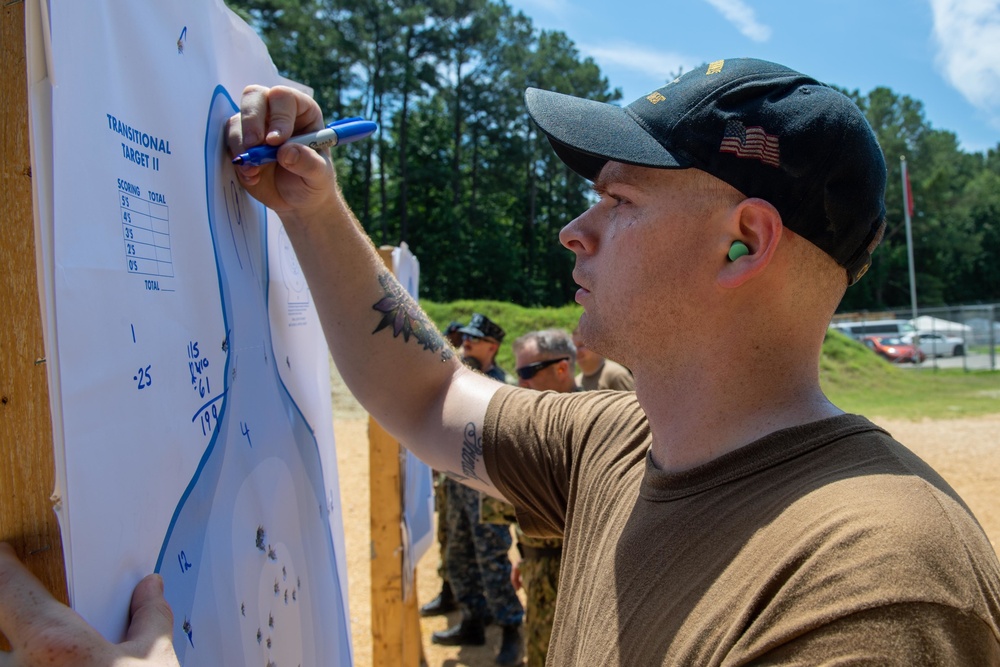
(27, 521)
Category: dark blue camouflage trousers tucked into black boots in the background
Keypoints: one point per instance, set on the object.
(478, 566)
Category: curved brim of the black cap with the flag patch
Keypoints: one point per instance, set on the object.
(586, 134)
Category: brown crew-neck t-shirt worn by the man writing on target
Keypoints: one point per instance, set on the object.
(828, 542)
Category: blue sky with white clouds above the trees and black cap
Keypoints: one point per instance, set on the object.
(945, 53)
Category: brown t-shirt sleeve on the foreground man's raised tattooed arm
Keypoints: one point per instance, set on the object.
(536, 446)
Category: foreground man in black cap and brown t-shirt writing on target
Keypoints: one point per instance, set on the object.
(727, 512)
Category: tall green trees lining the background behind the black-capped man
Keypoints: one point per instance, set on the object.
(459, 172)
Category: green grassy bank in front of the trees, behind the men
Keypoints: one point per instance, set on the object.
(851, 375)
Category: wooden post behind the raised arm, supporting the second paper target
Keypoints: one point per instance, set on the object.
(395, 617)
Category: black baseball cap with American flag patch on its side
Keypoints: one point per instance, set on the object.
(765, 129)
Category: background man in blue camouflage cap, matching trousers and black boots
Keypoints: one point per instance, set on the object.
(477, 563)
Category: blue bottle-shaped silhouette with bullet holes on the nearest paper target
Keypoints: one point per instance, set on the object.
(256, 508)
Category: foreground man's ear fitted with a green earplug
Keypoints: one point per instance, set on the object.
(757, 225)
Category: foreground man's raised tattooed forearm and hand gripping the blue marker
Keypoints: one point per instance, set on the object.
(389, 353)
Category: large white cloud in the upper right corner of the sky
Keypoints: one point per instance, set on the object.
(967, 33)
